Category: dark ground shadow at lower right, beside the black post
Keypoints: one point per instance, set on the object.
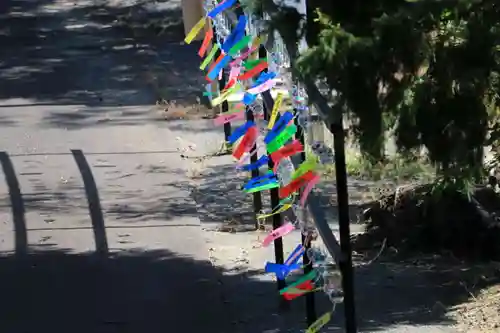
(416, 291)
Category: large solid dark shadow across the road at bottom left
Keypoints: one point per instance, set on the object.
(130, 291)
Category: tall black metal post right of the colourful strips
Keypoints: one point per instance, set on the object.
(344, 229)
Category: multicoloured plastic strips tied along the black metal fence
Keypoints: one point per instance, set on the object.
(279, 140)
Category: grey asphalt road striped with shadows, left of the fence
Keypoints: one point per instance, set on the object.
(74, 112)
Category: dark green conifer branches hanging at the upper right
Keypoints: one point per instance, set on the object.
(428, 70)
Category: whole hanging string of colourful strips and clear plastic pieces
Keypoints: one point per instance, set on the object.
(236, 49)
